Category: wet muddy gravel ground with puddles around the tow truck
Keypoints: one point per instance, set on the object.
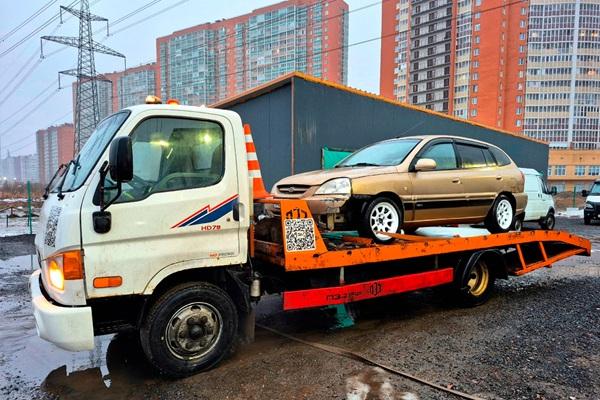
(537, 338)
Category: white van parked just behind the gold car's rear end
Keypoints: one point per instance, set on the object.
(540, 204)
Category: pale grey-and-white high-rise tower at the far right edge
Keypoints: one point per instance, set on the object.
(563, 73)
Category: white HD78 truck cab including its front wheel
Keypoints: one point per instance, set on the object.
(158, 193)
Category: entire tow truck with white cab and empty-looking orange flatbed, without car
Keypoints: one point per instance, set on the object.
(162, 225)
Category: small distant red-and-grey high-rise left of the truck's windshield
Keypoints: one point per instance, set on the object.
(54, 147)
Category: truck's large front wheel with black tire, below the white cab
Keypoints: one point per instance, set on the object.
(189, 329)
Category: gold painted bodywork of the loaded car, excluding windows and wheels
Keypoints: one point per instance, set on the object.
(433, 197)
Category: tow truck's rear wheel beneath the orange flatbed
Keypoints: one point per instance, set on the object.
(477, 285)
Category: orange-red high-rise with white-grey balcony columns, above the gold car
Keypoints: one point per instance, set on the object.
(465, 58)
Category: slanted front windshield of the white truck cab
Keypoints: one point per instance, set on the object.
(81, 166)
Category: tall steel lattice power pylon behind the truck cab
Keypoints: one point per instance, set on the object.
(87, 113)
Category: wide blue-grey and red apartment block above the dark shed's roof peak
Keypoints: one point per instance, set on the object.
(209, 62)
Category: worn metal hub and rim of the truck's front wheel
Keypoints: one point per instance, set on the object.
(193, 331)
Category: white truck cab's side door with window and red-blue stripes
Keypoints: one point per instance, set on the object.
(176, 212)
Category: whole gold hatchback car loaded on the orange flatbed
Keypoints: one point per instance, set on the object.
(410, 182)
